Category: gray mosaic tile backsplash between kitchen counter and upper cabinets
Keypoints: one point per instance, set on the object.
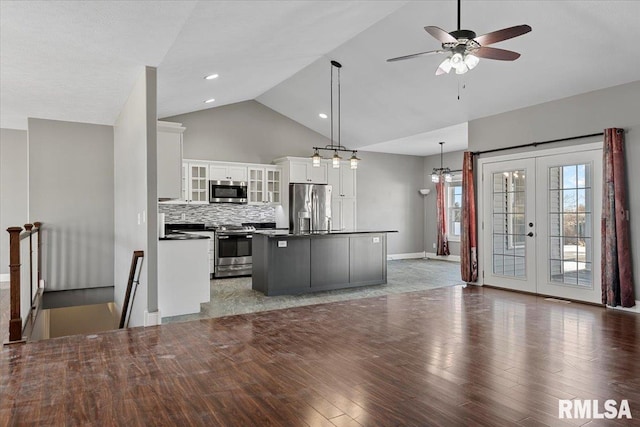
(217, 213)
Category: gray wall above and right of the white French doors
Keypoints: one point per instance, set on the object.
(618, 106)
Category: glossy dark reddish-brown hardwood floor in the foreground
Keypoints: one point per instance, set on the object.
(449, 356)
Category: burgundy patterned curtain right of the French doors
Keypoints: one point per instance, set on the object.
(617, 275)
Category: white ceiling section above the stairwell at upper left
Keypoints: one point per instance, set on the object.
(78, 61)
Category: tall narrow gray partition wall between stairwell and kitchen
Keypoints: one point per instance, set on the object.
(135, 198)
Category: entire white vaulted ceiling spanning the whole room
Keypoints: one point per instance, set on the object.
(78, 61)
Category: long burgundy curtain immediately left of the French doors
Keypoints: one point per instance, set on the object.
(468, 239)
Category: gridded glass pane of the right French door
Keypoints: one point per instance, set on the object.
(570, 225)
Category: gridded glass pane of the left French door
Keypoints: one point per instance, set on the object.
(509, 227)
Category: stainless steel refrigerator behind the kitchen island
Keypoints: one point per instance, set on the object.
(309, 208)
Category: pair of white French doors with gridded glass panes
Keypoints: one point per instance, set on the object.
(540, 224)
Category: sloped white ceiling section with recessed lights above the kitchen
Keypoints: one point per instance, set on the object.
(253, 46)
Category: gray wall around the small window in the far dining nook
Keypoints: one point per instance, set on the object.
(453, 161)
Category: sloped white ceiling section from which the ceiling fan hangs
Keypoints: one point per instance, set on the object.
(575, 47)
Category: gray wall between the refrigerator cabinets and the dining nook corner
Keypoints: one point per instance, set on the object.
(388, 199)
